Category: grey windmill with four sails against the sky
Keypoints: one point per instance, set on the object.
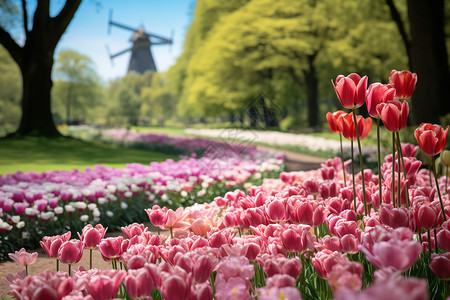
(141, 56)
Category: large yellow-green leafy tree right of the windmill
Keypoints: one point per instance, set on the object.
(290, 50)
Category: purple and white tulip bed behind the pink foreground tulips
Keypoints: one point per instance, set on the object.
(36, 204)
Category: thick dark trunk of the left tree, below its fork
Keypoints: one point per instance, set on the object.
(37, 118)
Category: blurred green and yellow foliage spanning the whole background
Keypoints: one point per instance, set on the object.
(233, 51)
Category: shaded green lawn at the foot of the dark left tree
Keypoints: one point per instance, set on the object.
(43, 154)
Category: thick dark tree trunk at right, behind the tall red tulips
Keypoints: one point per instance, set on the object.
(429, 60)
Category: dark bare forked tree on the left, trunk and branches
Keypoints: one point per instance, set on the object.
(35, 60)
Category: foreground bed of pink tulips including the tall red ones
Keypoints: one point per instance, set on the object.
(321, 234)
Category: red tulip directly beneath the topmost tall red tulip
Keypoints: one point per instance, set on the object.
(394, 114)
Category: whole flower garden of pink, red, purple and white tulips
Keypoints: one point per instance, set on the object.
(226, 230)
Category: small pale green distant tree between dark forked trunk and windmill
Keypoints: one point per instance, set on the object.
(76, 85)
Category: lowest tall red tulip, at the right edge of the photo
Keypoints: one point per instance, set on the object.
(431, 138)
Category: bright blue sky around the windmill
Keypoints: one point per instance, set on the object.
(87, 33)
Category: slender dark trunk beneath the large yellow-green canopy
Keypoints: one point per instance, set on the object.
(311, 82)
